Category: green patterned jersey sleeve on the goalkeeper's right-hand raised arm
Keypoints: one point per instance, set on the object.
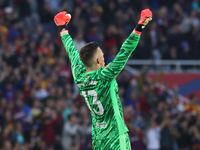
(115, 67)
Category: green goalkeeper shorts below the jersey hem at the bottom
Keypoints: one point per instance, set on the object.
(121, 142)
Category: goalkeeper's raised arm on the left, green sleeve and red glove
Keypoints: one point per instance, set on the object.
(61, 20)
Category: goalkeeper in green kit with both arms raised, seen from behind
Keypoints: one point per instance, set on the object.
(97, 84)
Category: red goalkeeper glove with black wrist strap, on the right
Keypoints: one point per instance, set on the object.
(145, 17)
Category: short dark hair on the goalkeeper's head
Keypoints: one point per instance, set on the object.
(87, 52)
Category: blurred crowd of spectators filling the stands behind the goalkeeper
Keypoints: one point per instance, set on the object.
(40, 107)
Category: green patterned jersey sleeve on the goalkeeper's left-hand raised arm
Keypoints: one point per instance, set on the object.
(76, 64)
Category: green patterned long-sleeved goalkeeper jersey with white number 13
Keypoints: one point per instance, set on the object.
(100, 90)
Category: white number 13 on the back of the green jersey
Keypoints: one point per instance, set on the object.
(94, 102)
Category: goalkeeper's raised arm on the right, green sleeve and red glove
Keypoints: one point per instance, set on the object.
(116, 66)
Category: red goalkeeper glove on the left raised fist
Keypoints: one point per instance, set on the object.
(62, 19)
